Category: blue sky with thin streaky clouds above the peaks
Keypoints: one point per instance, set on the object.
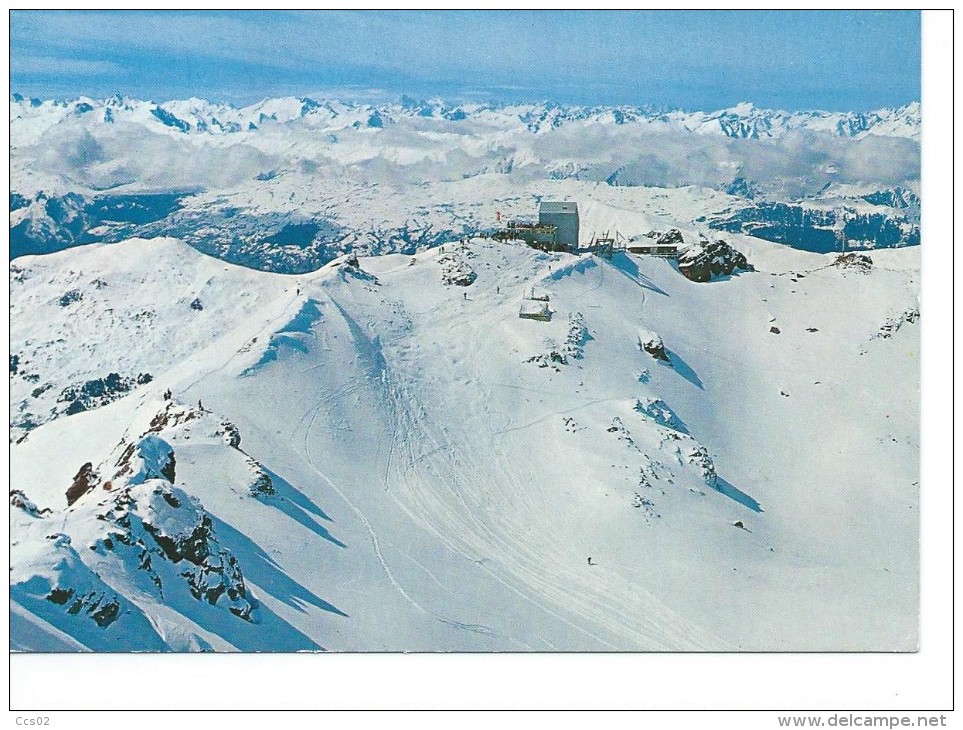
(831, 60)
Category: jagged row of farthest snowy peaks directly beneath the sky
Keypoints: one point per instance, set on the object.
(195, 116)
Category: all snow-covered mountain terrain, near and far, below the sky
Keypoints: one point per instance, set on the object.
(274, 387)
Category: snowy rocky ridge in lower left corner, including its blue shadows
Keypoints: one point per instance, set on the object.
(150, 547)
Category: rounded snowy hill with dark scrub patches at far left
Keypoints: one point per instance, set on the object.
(75, 295)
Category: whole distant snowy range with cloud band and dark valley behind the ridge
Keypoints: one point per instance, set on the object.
(290, 184)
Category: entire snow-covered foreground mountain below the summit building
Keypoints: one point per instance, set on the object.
(392, 463)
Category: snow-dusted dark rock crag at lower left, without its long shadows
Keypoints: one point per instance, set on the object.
(128, 530)
